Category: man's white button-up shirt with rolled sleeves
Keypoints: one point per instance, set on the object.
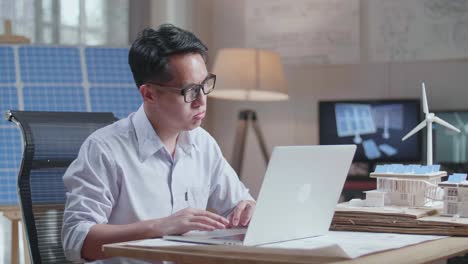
(124, 174)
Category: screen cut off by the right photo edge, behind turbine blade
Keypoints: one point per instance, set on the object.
(450, 146)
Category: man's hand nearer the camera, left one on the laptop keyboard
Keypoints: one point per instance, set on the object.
(190, 219)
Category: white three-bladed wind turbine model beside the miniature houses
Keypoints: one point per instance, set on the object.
(427, 122)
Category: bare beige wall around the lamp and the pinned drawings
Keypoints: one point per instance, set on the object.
(221, 24)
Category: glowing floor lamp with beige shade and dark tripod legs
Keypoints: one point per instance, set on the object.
(248, 75)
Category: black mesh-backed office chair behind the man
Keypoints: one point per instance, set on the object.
(51, 142)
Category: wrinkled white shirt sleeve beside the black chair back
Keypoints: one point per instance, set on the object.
(91, 191)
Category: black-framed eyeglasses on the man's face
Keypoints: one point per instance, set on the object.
(191, 91)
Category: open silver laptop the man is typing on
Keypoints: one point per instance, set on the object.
(297, 199)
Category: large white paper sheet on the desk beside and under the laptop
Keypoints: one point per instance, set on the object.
(355, 244)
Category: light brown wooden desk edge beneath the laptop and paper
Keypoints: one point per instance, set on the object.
(420, 253)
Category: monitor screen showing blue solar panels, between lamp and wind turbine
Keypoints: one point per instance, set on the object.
(375, 126)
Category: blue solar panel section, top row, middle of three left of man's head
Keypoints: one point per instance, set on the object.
(50, 64)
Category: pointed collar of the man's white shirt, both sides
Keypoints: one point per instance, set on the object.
(149, 141)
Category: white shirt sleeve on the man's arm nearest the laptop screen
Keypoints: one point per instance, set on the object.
(226, 189)
